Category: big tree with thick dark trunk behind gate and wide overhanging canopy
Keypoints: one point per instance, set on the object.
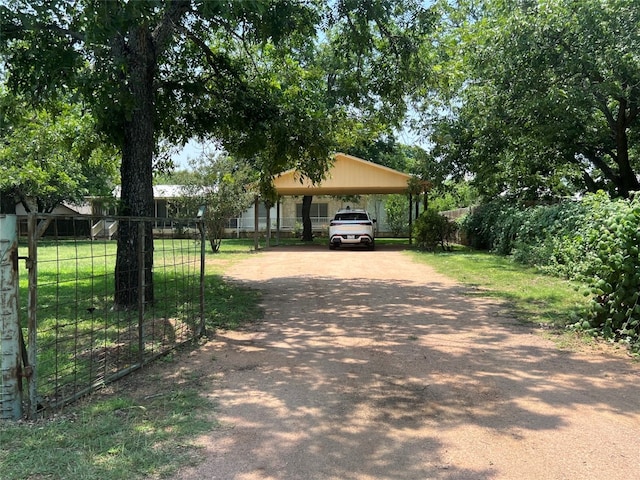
(174, 69)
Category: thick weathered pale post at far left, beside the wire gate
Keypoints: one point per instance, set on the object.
(10, 353)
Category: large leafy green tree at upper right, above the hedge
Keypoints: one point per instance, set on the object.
(545, 96)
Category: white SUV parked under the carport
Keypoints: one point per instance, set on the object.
(351, 227)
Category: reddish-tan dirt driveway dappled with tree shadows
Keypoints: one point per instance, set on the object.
(369, 366)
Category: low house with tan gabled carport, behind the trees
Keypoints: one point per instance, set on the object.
(350, 181)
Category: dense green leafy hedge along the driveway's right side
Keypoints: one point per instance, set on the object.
(595, 241)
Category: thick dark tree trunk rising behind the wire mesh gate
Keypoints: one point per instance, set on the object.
(137, 174)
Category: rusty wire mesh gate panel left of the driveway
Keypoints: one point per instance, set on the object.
(92, 310)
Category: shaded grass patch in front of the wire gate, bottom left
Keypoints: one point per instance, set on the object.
(113, 437)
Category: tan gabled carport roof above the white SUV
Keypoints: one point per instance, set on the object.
(348, 176)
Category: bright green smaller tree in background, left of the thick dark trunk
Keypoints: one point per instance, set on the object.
(50, 157)
